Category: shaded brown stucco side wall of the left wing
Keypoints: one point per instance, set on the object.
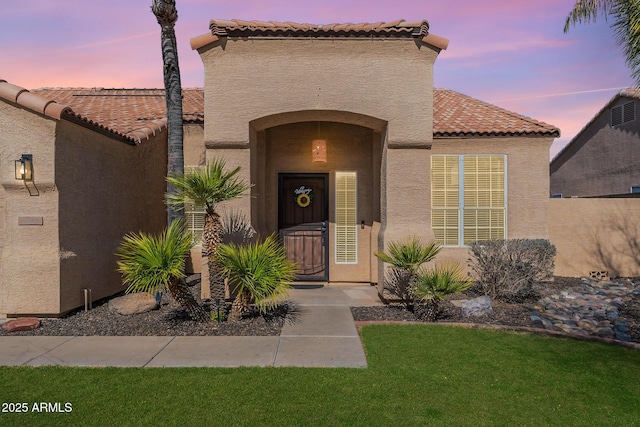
(106, 189)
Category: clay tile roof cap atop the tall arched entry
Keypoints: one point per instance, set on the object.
(395, 29)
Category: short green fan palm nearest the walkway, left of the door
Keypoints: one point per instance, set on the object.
(259, 274)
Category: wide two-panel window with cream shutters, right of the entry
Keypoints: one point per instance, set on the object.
(468, 198)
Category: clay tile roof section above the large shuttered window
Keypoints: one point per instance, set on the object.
(456, 115)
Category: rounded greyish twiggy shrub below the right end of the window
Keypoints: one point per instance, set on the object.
(509, 269)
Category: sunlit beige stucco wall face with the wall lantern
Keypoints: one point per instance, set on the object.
(29, 256)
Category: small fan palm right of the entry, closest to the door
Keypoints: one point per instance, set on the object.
(405, 258)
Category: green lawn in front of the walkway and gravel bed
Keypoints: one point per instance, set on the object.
(417, 375)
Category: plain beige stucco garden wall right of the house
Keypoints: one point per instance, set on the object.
(596, 235)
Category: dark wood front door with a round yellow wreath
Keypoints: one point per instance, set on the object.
(303, 216)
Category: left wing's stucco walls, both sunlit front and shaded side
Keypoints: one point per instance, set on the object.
(88, 191)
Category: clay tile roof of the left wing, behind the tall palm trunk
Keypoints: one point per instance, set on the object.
(130, 114)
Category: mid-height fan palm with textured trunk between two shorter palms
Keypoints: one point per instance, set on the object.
(208, 187)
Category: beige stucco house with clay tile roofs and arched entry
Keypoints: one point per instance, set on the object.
(338, 127)
